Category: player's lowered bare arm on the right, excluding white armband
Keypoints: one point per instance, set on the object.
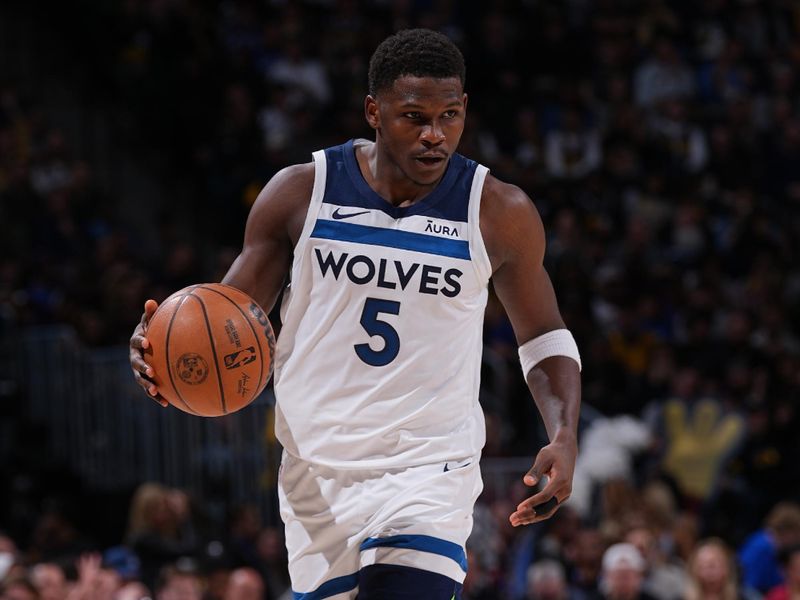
(514, 237)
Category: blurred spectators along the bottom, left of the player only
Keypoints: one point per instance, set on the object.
(165, 554)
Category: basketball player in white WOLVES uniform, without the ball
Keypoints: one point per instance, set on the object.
(390, 246)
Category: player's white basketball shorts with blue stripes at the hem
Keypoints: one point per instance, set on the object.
(338, 521)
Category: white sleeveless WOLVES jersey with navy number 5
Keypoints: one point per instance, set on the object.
(378, 361)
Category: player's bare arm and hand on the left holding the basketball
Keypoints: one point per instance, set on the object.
(273, 228)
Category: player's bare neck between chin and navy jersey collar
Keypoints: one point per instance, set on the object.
(387, 179)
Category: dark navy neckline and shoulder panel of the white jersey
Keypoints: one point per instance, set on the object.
(345, 186)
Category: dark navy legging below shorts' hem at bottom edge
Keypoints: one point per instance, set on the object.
(391, 582)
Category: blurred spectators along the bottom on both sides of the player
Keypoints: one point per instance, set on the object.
(643, 549)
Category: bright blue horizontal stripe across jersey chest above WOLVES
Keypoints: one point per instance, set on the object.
(390, 238)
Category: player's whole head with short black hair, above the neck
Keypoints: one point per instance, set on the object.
(416, 101)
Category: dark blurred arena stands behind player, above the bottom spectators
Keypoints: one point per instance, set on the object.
(659, 140)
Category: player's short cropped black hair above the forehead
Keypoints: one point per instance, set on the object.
(416, 52)
